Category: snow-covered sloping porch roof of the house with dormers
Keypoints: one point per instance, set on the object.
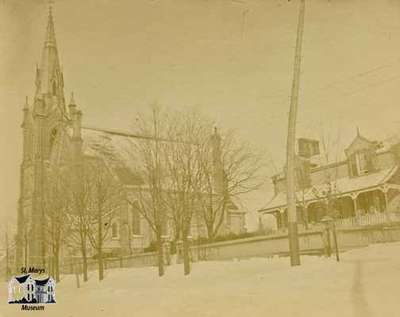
(341, 187)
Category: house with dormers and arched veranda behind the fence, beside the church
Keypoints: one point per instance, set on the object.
(365, 183)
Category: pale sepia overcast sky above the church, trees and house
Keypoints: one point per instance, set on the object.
(230, 59)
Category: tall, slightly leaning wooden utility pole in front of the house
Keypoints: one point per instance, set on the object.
(291, 146)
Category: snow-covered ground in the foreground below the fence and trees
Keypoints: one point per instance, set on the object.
(365, 283)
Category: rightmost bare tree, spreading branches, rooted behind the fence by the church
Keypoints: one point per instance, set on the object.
(229, 169)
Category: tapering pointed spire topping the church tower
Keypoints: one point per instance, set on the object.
(49, 78)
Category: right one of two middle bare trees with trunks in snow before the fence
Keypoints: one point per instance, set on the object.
(182, 157)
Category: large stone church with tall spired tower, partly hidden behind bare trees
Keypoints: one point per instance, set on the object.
(54, 137)
